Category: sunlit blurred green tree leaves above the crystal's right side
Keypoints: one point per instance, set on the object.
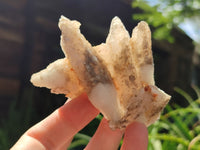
(164, 15)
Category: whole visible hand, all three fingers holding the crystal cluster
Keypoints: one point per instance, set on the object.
(57, 130)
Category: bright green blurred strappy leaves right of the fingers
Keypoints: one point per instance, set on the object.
(178, 128)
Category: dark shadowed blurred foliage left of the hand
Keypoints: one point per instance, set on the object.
(20, 118)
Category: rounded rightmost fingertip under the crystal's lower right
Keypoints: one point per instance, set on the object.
(135, 137)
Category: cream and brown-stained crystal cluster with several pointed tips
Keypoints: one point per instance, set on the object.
(118, 75)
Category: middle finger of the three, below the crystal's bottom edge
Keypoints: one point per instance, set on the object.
(105, 138)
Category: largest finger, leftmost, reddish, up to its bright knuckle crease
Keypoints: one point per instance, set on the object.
(63, 124)
